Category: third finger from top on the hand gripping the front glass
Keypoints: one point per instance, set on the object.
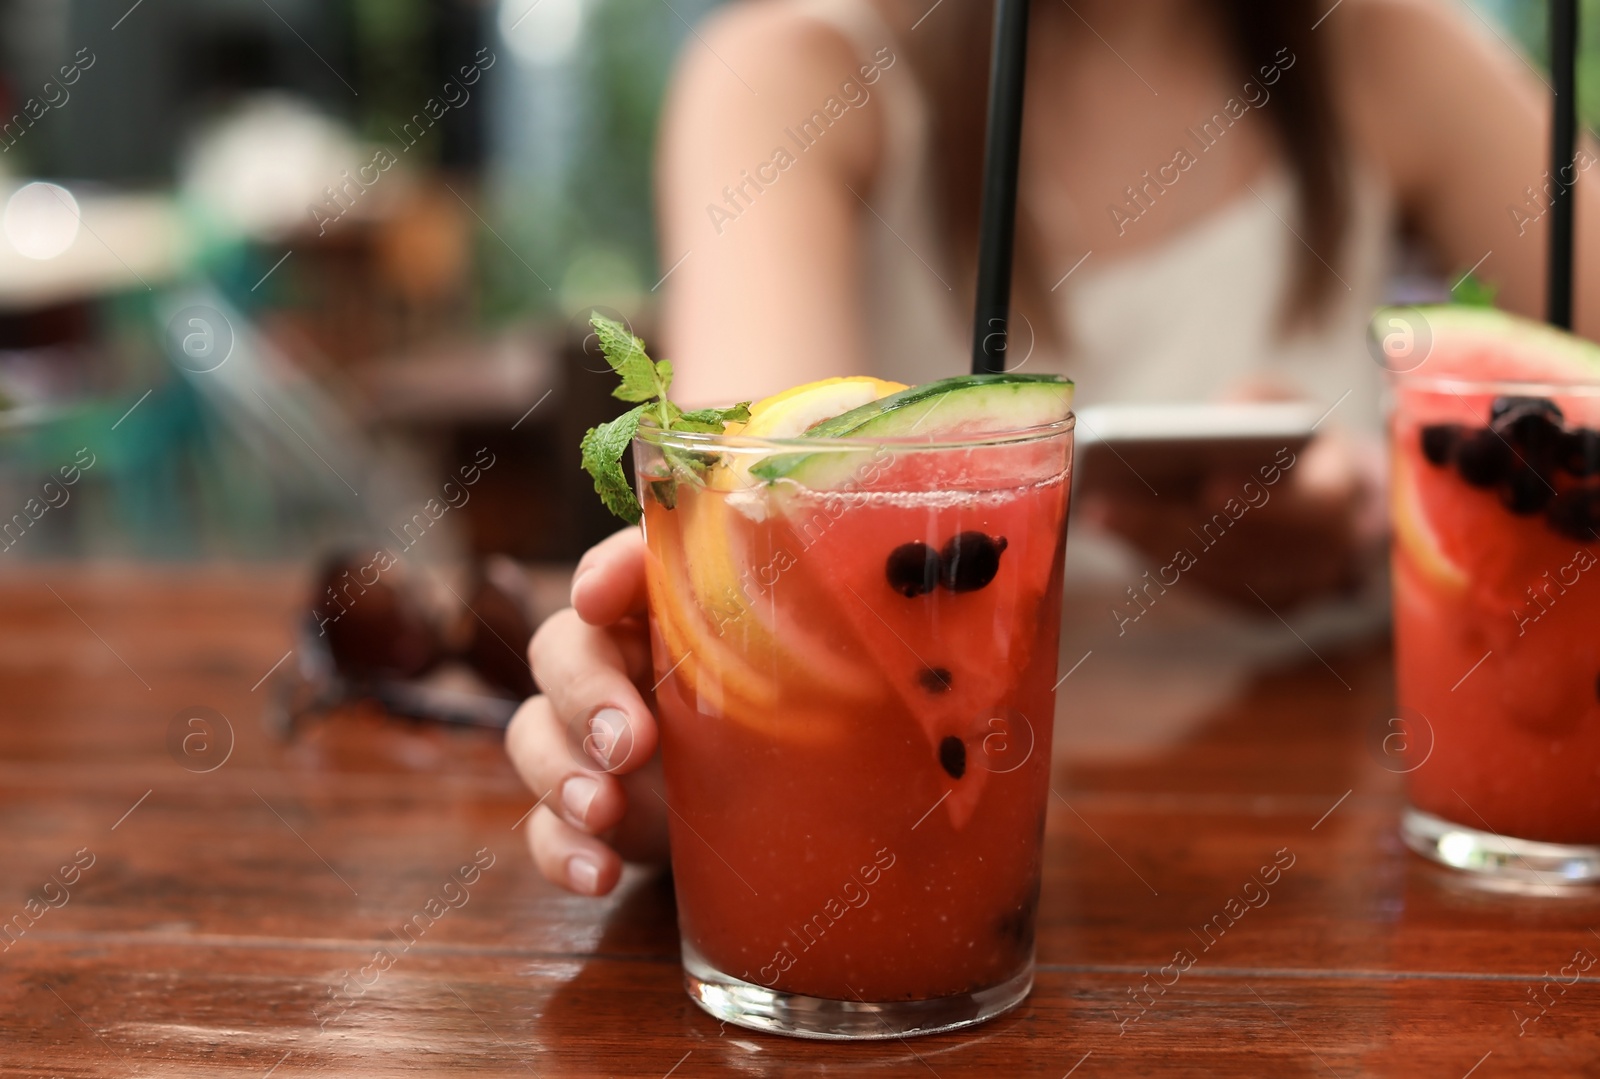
(561, 774)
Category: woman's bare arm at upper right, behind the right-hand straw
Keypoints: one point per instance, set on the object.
(1463, 129)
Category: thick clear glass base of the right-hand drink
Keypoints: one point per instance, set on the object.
(1519, 862)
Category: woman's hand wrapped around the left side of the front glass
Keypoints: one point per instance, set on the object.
(588, 745)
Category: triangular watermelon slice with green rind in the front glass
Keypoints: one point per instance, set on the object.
(938, 561)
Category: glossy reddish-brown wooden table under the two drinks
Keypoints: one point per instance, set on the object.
(225, 910)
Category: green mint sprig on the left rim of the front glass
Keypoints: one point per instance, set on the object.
(646, 385)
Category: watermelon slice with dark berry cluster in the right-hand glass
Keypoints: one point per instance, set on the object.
(1494, 484)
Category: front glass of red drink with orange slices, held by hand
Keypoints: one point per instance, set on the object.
(857, 656)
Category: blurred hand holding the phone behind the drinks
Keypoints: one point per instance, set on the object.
(1311, 535)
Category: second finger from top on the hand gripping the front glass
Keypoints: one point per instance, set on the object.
(585, 675)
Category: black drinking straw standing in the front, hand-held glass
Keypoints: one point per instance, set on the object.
(998, 217)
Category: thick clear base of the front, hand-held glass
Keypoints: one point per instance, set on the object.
(762, 1009)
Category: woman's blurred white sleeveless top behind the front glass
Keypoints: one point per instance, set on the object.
(1186, 321)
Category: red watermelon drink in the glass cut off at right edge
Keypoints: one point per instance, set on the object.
(1497, 592)
